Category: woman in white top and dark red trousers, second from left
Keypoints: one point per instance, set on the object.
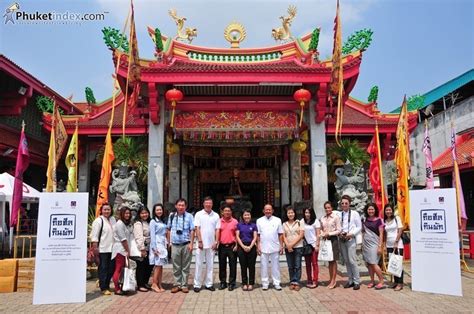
(121, 248)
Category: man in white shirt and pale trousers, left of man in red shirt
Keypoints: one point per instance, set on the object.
(207, 224)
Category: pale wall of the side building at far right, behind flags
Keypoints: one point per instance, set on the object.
(439, 128)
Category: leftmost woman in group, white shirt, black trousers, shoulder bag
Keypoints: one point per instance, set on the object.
(102, 239)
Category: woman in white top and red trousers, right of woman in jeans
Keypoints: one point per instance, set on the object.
(311, 234)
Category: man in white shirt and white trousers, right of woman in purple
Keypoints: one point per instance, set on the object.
(270, 246)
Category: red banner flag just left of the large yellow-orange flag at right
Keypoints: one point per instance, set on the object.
(376, 173)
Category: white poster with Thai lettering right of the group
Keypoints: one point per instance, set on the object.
(435, 244)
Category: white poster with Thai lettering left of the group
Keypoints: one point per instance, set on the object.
(61, 249)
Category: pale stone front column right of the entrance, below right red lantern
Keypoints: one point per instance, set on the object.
(319, 168)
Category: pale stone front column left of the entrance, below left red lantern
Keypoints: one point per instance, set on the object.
(156, 160)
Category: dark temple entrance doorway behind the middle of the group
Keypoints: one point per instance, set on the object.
(250, 176)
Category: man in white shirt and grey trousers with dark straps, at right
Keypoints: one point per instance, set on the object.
(351, 227)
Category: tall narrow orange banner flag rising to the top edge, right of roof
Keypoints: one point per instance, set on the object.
(336, 86)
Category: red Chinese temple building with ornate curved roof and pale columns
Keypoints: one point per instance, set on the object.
(225, 122)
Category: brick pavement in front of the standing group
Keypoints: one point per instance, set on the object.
(319, 300)
